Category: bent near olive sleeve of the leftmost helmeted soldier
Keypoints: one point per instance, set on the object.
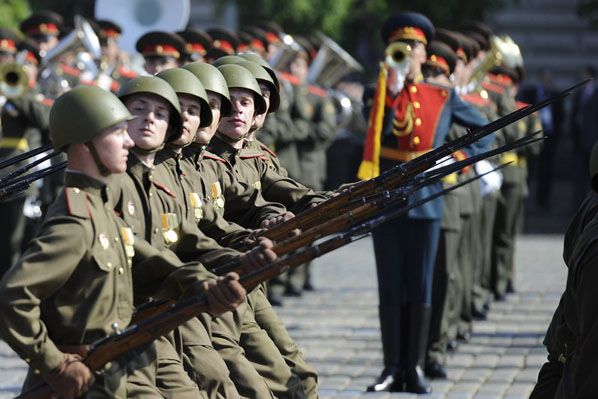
(43, 269)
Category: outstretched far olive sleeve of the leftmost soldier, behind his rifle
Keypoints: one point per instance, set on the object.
(161, 274)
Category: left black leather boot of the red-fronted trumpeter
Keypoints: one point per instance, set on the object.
(390, 327)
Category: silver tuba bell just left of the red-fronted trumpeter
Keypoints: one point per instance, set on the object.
(330, 65)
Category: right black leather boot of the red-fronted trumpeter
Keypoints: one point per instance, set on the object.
(419, 325)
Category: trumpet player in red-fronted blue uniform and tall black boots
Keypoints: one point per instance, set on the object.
(417, 119)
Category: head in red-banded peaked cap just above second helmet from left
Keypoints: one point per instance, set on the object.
(161, 50)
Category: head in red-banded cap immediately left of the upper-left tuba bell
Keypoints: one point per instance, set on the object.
(43, 27)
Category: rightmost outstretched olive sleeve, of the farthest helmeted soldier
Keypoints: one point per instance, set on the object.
(290, 193)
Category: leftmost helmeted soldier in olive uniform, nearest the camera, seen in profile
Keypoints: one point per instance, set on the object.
(96, 263)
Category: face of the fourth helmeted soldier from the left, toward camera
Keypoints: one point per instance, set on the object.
(238, 124)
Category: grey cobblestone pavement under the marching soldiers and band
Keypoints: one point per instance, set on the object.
(337, 328)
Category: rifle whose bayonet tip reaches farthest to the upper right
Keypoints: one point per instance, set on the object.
(400, 173)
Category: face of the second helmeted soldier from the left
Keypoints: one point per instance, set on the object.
(148, 129)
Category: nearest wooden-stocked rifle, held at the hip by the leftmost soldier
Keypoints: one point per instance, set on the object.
(173, 315)
